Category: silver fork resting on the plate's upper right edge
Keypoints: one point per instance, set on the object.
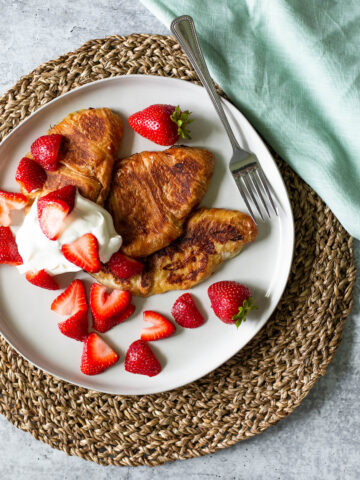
(244, 166)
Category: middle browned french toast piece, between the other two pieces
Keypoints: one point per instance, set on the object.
(153, 193)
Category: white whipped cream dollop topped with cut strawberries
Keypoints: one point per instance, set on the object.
(38, 252)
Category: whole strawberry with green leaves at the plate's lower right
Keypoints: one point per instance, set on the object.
(231, 301)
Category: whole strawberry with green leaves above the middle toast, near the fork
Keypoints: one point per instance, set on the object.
(162, 124)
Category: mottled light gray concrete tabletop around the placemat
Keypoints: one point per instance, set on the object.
(320, 440)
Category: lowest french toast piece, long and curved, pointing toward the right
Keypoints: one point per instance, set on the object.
(211, 236)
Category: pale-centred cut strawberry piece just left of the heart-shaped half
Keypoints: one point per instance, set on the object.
(72, 300)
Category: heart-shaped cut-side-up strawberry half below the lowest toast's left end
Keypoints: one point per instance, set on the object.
(105, 305)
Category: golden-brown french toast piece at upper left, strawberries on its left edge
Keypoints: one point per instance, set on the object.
(87, 155)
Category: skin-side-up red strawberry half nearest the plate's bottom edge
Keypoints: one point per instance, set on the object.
(140, 359)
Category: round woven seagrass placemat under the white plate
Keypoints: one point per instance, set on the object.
(260, 385)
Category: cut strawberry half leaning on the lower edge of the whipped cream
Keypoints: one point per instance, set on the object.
(84, 253)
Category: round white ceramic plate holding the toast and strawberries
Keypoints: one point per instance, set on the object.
(26, 320)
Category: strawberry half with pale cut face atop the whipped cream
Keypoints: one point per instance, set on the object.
(53, 208)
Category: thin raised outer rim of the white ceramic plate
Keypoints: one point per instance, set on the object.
(289, 212)
